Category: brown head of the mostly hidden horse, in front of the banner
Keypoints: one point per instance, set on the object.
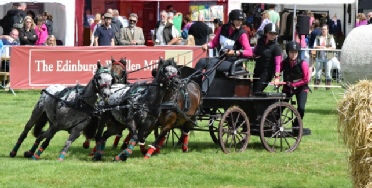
(118, 70)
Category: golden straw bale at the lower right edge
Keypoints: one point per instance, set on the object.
(355, 127)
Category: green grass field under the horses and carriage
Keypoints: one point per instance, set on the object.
(319, 161)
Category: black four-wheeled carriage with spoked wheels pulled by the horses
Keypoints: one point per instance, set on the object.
(234, 113)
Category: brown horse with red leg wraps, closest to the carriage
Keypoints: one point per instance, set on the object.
(178, 110)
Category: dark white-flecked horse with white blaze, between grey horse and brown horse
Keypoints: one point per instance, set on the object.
(141, 107)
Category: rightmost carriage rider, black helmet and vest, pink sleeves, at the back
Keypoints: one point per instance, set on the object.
(296, 75)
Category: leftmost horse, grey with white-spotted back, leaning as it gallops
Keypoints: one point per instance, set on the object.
(65, 108)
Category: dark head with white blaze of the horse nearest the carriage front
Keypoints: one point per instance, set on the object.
(167, 73)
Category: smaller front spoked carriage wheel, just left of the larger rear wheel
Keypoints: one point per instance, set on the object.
(234, 130)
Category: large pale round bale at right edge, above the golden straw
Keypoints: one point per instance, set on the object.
(356, 57)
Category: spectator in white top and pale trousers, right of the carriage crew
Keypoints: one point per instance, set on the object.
(324, 41)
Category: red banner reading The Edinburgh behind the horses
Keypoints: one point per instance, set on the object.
(34, 67)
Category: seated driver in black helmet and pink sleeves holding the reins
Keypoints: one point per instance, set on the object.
(233, 38)
